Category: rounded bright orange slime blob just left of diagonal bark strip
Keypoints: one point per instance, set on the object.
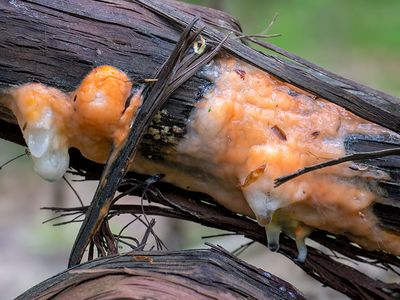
(103, 112)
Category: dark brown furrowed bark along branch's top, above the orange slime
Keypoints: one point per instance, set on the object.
(58, 44)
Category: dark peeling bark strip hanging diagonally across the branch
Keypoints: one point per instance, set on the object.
(169, 78)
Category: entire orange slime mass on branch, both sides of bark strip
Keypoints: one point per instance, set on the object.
(249, 129)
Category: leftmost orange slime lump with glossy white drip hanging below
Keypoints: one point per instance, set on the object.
(41, 112)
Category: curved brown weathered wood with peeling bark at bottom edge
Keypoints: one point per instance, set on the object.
(194, 274)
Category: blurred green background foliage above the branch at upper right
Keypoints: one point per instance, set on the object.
(359, 39)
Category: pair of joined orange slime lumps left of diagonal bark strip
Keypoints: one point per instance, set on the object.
(94, 117)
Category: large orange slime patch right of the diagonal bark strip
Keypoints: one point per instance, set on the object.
(254, 128)
